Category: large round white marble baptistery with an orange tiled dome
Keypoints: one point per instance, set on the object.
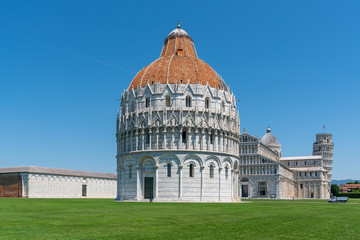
(178, 130)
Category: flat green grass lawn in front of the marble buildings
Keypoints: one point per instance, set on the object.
(106, 219)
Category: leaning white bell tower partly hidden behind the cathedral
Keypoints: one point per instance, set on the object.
(325, 147)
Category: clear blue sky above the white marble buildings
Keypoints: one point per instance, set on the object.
(63, 64)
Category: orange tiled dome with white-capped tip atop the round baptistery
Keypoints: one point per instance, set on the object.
(178, 63)
